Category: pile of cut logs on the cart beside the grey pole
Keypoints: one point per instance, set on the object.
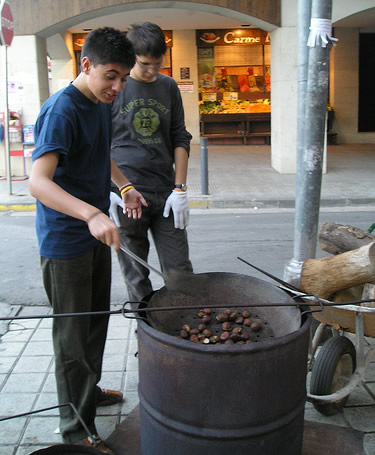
(347, 275)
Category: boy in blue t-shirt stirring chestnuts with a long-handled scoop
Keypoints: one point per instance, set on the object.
(71, 178)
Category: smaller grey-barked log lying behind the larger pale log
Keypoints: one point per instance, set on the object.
(339, 238)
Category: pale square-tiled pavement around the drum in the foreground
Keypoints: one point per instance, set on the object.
(27, 383)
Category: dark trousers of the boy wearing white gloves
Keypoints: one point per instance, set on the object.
(171, 245)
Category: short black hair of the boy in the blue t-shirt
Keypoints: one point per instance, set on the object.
(108, 45)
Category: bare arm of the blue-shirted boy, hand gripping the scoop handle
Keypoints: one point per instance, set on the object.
(43, 188)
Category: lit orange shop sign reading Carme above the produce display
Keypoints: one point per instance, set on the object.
(209, 38)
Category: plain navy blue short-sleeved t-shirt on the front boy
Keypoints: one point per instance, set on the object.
(80, 132)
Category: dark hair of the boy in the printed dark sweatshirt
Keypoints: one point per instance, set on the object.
(147, 39)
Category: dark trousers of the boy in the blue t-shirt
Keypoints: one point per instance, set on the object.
(79, 284)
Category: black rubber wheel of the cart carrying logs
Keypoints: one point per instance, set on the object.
(333, 367)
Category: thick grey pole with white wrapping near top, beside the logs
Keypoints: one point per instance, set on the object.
(310, 148)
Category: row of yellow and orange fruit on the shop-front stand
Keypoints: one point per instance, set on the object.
(235, 106)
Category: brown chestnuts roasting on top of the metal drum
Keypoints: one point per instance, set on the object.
(235, 327)
